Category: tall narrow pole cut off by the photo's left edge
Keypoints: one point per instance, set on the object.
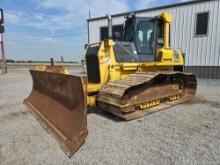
(3, 67)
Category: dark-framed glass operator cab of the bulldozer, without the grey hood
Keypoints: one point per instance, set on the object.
(146, 34)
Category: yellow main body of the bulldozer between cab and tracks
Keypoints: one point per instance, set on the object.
(111, 70)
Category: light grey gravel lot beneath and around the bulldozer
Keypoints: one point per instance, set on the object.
(185, 134)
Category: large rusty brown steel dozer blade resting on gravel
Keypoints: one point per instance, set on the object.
(58, 101)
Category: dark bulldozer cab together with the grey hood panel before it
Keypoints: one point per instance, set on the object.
(142, 36)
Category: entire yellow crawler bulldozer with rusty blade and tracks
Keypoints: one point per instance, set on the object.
(130, 78)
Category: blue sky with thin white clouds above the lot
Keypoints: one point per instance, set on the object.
(41, 29)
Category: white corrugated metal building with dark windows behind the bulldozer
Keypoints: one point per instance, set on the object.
(195, 30)
